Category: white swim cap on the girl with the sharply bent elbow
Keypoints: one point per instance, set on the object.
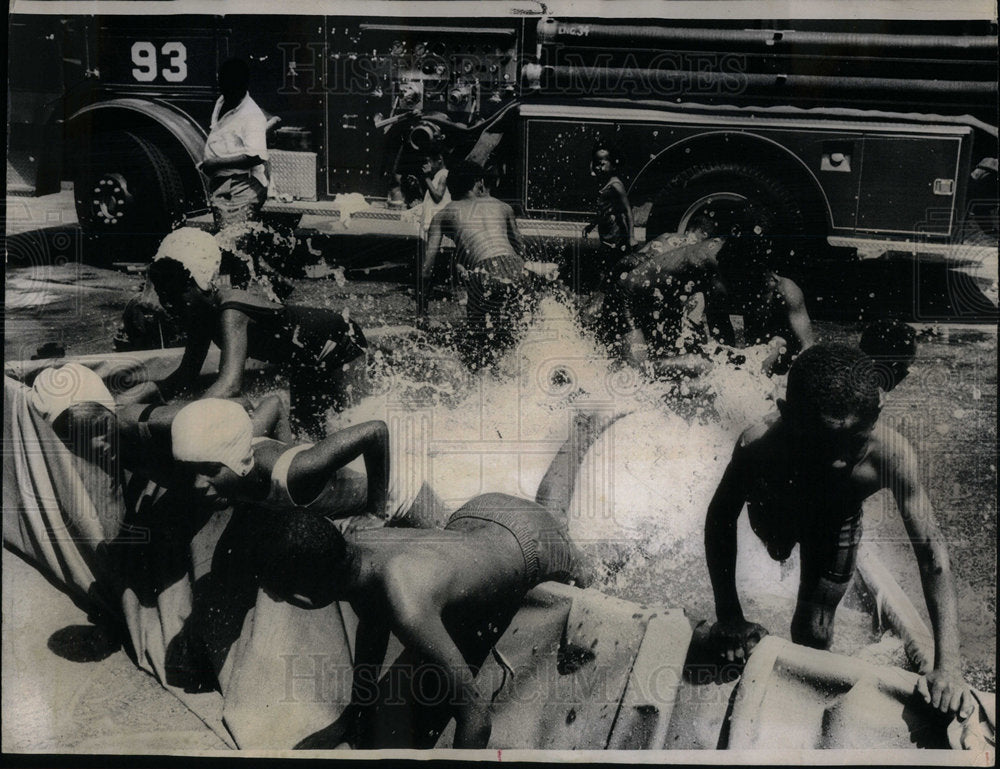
(214, 430)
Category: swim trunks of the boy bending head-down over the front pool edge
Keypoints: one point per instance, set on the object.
(545, 544)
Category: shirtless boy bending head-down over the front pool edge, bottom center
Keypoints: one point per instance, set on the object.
(447, 595)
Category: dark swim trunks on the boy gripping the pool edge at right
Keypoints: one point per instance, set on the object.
(828, 541)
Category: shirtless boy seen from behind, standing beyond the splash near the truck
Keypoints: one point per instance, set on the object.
(490, 248)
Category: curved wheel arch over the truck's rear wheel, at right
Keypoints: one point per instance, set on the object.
(735, 147)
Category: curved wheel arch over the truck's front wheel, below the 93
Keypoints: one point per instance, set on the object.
(87, 125)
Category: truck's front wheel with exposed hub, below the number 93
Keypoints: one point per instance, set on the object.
(129, 194)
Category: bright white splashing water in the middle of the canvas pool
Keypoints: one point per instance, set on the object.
(640, 497)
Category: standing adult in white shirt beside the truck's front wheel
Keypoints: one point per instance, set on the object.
(236, 150)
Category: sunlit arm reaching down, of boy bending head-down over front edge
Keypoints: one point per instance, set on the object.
(417, 623)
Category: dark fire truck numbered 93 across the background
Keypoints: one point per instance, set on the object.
(870, 129)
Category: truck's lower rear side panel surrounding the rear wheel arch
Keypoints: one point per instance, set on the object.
(864, 179)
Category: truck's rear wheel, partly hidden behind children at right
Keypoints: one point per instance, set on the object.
(724, 192)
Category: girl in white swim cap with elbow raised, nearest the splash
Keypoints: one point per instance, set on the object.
(219, 458)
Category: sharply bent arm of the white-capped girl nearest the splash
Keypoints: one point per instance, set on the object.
(312, 469)
